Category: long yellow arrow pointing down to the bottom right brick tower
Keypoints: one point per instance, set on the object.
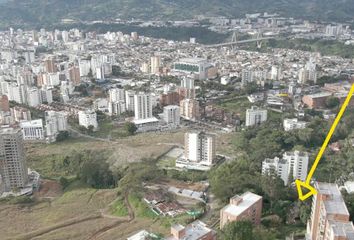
(306, 185)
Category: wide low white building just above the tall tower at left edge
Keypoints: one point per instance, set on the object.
(32, 130)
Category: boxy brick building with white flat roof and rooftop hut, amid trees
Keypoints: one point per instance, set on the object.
(248, 206)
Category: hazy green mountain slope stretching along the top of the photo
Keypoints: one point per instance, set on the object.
(16, 12)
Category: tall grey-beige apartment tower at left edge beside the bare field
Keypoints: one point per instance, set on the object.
(13, 167)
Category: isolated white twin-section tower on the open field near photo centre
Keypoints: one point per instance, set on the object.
(199, 147)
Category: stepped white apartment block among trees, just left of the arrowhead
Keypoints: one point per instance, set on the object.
(292, 162)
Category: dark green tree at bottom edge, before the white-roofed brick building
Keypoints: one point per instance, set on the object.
(240, 230)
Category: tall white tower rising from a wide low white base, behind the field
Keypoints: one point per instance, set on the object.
(142, 106)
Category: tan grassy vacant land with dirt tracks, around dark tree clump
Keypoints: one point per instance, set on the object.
(76, 213)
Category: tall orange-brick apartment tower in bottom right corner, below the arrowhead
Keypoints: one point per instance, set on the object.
(329, 215)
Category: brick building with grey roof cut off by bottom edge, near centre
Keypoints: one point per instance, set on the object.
(197, 230)
